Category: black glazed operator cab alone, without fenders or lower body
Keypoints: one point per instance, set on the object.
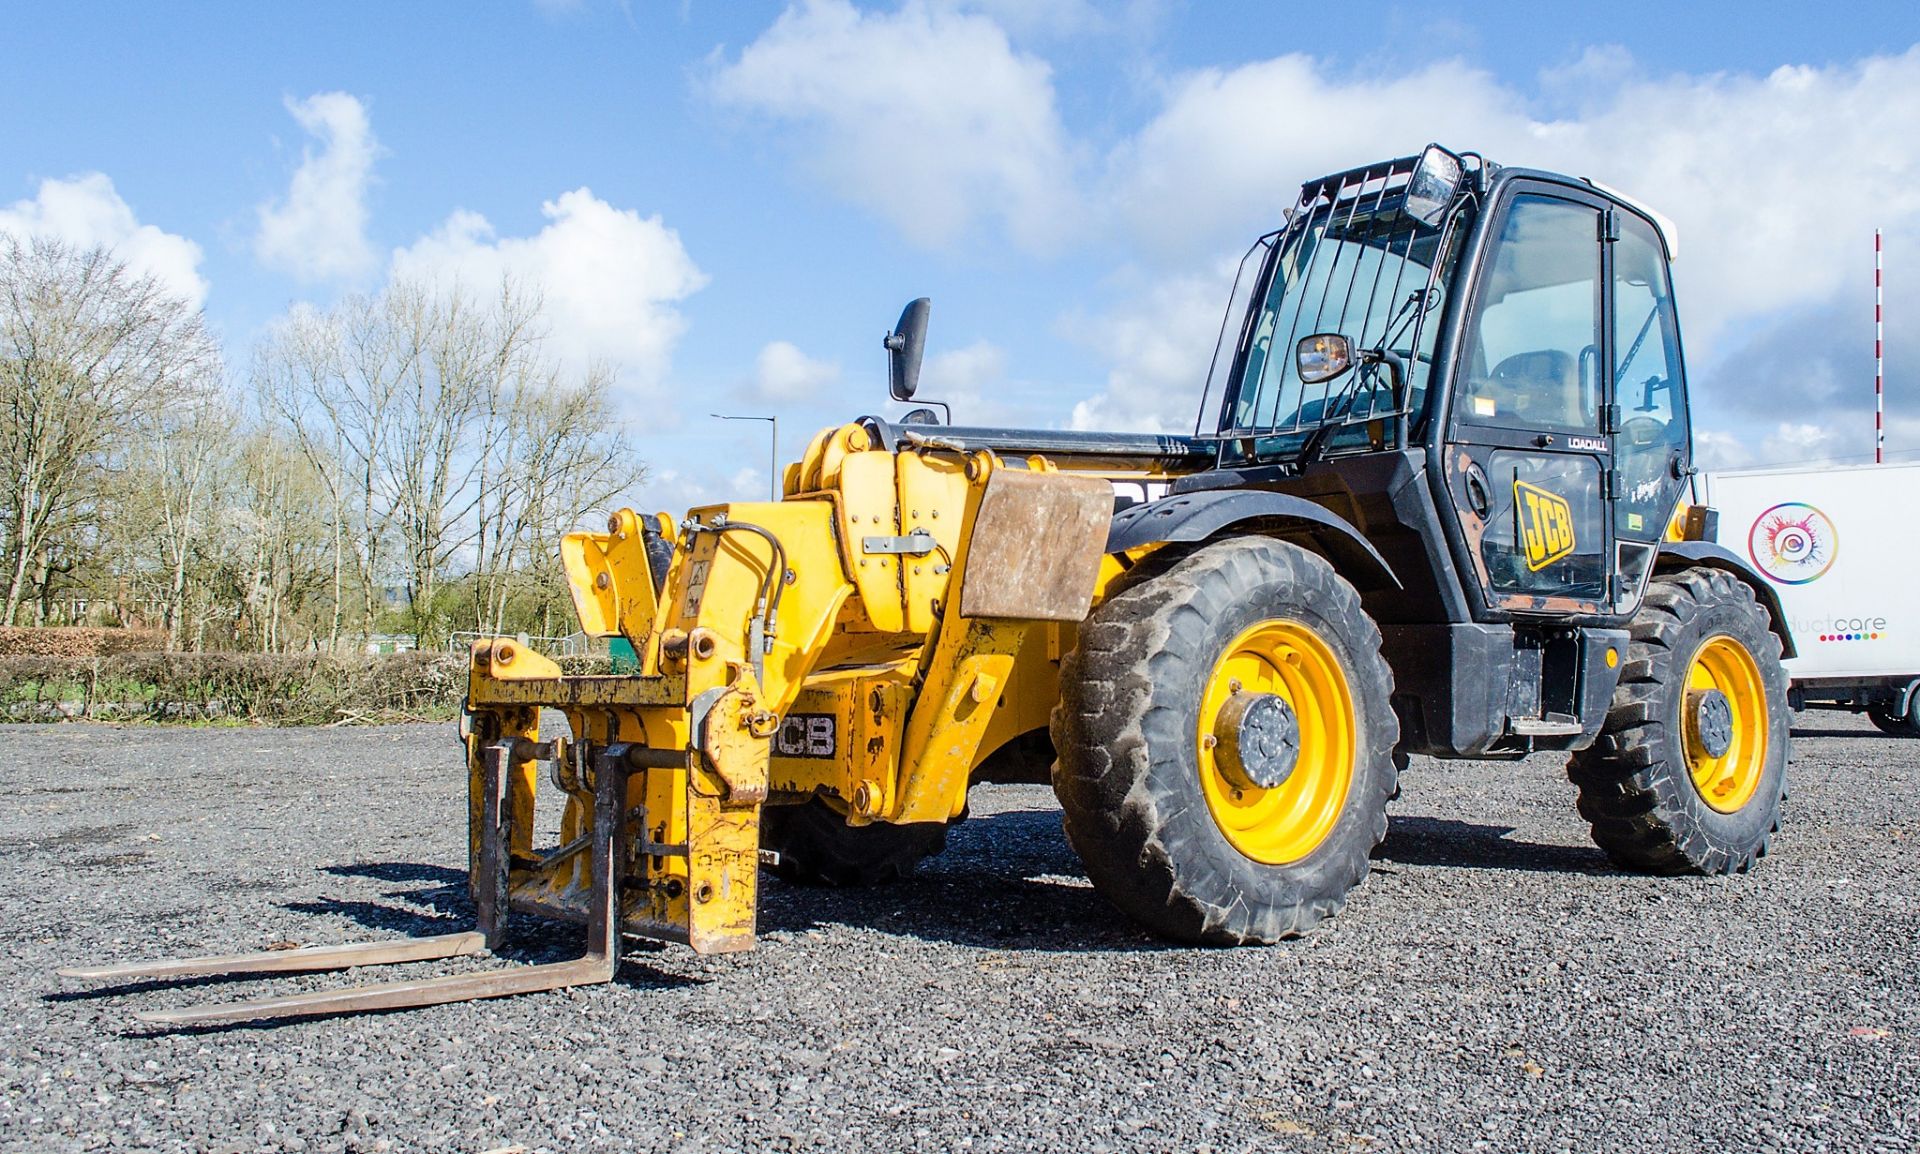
(1512, 327)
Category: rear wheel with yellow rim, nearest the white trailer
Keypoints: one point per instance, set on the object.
(1691, 769)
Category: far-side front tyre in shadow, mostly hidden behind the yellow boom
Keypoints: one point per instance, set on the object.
(819, 848)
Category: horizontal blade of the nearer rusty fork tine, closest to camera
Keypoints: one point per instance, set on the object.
(398, 996)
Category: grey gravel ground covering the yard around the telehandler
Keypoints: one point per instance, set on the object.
(1495, 986)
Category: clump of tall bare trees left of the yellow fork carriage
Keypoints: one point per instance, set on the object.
(452, 448)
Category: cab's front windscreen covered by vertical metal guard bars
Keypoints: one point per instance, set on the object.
(1351, 262)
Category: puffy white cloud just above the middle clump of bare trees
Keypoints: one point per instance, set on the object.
(612, 279)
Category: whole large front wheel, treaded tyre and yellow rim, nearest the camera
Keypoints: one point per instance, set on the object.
(1226, 744)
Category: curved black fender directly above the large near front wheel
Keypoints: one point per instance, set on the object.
(1197, 517)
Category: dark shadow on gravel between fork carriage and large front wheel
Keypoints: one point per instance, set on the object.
(1005, 882)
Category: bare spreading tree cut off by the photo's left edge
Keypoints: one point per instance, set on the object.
(87, 352)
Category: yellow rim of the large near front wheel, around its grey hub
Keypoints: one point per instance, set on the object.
(1291, 821)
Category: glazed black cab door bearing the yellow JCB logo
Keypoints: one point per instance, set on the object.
(1529, 452)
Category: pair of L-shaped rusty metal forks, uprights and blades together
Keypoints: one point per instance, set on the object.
(608, 873)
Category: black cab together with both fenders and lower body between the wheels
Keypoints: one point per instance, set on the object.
(1477, 372)
